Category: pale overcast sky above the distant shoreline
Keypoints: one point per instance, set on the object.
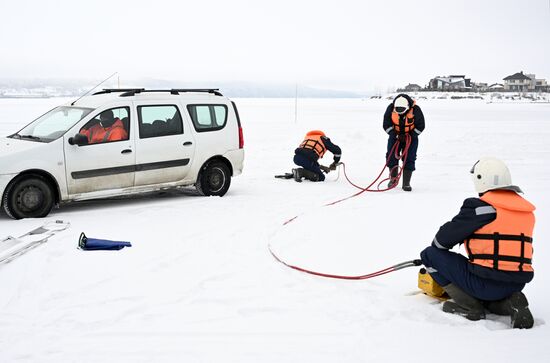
(341, 44)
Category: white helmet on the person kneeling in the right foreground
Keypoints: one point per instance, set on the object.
(490, 173)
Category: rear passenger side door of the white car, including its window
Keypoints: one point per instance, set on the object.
(164, 144)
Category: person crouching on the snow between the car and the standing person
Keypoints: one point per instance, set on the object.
(314, 146)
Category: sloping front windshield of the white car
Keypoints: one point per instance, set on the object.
(52, 124)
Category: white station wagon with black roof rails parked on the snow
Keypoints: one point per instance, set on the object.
(118, 142)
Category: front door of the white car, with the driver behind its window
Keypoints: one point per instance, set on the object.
(107, 162)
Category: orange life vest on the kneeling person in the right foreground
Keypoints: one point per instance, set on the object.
(506, 243)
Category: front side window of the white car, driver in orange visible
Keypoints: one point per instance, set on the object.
(108, 126)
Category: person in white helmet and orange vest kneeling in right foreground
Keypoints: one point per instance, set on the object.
(497, 232)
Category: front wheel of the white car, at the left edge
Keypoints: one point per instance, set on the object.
(28, 197)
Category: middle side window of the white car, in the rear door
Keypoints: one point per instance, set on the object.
(159, 120)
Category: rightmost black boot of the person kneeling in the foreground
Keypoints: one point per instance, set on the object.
(515, 306)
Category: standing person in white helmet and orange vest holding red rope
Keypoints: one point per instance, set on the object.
(402, 117)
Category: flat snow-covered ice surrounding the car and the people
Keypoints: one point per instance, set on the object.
(199, 284)
